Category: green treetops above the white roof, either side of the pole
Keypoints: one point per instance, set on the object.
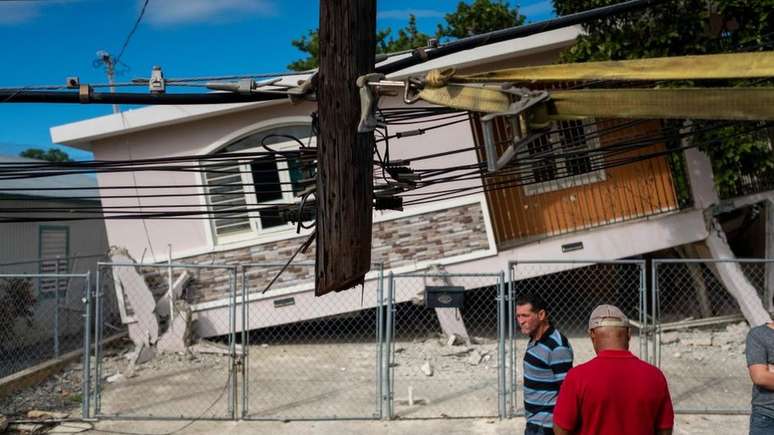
(469, 19)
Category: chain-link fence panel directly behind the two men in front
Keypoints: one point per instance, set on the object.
(571, 291)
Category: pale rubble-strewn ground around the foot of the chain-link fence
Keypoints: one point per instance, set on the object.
(291, 379)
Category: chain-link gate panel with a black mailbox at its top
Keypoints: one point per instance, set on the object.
(447, 355)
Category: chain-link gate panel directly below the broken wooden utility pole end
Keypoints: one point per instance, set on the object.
(309, 357)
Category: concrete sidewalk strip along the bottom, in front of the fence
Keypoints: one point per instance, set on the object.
(685, 424)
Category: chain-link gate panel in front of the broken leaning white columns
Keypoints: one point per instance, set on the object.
(185, 367)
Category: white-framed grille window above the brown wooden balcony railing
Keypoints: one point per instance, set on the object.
(563, 158)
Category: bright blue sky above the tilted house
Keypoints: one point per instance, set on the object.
(45, 41)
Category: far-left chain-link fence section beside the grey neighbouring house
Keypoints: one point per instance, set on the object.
(41, 317)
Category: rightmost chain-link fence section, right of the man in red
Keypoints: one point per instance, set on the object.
(701, 330)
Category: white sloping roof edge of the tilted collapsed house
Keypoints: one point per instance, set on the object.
(80, 134)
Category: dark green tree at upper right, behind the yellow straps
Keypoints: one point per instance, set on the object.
(687, 27)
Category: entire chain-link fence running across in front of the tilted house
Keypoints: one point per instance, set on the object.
(208, 342)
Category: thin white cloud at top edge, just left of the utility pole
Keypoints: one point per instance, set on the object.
(161, 12)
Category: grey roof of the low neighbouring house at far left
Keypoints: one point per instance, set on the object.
(87, 183)
